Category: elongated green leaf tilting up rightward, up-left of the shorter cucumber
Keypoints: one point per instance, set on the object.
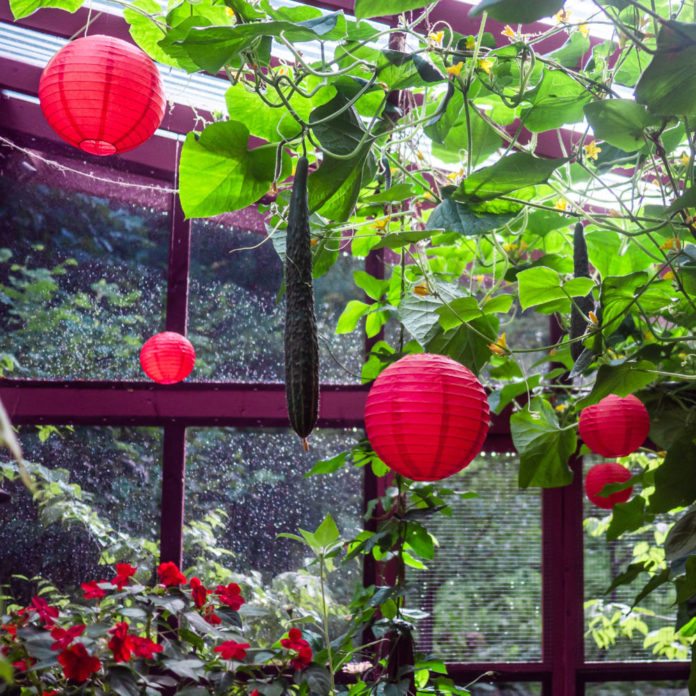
(508, 174)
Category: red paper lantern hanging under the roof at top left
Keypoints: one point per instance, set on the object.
(102, 94)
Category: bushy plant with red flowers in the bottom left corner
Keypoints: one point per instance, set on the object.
(130, 638)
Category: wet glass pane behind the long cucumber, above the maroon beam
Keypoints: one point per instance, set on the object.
(236, 323)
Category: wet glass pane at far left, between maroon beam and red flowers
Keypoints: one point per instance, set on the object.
(118, 477)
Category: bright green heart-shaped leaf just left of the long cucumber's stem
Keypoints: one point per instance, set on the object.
(234, 175)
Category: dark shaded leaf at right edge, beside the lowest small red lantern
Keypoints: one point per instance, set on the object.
(674, 484)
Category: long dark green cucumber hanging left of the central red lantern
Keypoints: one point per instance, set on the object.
(301, 346)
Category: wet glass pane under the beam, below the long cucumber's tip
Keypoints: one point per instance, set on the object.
(256, 479)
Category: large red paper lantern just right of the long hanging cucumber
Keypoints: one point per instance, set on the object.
(426, 416)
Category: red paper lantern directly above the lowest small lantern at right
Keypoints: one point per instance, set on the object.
(615, 426)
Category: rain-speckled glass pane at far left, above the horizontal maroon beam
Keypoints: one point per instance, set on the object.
(82, 276)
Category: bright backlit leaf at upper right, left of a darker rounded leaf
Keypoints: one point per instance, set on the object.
(558, 100)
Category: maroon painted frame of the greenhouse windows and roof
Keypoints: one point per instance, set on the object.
(562, 670)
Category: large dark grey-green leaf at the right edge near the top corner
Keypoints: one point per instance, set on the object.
(668, 84)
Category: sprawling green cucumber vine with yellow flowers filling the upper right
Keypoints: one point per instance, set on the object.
(428, 144)
